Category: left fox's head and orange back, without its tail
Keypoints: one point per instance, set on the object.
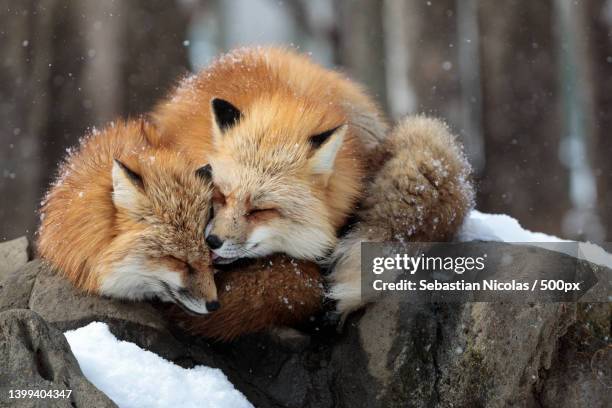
(127, 220)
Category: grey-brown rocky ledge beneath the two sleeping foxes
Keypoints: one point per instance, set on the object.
(393, 354)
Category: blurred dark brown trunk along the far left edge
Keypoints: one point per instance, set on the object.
(26, 32)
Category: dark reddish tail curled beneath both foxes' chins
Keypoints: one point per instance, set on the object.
(276, 291)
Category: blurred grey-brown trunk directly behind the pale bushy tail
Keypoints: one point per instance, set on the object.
(443, 70)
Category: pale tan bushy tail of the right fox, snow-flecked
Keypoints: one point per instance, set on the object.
(422, 192)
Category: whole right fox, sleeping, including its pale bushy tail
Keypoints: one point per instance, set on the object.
(290, 145)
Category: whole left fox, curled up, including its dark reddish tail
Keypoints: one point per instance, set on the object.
(126, 220)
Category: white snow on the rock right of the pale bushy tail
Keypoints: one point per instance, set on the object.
(480, 226)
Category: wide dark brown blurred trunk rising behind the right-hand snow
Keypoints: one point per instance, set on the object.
(521, 114)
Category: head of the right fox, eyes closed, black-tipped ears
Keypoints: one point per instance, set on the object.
(270, 168)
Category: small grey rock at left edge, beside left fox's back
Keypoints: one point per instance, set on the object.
(16, 288)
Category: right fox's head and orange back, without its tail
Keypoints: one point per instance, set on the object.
(285, 140)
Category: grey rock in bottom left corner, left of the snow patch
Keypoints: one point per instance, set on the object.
(36, 356)
